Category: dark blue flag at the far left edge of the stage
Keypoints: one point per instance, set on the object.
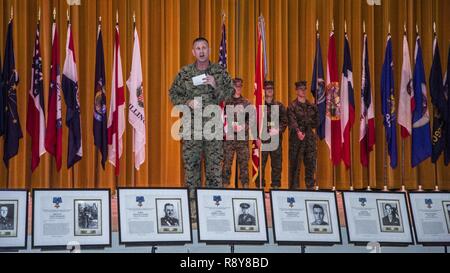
(13, 130)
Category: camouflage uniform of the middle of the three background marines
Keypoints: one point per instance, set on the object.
(276, 157)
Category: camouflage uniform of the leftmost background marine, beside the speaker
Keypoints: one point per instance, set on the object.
(240, 147)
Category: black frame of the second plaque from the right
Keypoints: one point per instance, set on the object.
(382, 243)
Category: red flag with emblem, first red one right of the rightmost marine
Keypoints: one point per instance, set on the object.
(333, 135)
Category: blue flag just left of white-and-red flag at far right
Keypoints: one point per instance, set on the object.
(388, 103)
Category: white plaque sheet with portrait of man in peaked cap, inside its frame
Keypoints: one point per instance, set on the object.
(231, 216)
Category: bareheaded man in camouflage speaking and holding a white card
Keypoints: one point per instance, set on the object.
(215, 86)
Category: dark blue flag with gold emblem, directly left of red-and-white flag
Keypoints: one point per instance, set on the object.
(100, 119)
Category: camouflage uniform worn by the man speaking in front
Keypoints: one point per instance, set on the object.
(181, 92)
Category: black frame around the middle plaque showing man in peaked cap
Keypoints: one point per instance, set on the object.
(233, 242)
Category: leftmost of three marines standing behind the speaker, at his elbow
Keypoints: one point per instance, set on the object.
(234, 145)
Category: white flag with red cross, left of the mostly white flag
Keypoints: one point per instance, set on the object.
(116, 118)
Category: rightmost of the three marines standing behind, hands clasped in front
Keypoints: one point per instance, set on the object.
(303, 118)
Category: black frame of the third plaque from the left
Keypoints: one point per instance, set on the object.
(153, 243)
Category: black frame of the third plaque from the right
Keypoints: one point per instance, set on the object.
(305, 243)
